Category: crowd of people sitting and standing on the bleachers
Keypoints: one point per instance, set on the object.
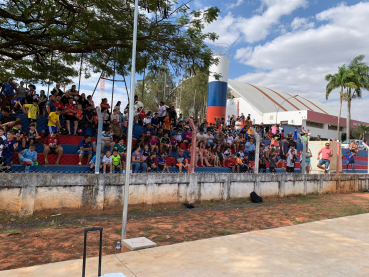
(229, 142)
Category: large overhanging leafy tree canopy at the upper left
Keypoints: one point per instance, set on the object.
(42, 35)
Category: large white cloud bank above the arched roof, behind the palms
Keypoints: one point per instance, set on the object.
(297, 62)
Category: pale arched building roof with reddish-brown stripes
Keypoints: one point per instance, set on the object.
(267, 100)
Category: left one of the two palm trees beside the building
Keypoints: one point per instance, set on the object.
(342, 80)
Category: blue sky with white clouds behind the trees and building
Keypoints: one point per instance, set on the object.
(286, 45)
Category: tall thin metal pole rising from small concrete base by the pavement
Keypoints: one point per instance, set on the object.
(130, 126)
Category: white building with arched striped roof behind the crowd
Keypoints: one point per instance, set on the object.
(275, 107)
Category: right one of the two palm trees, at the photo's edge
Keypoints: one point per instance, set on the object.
(361, 80)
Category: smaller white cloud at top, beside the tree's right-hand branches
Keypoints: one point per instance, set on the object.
(256, 28)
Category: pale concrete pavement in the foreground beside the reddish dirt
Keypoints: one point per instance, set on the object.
(335, 247)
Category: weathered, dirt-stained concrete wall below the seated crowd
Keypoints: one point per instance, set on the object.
(26, 193)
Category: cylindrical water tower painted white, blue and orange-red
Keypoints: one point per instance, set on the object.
(217, 89)
